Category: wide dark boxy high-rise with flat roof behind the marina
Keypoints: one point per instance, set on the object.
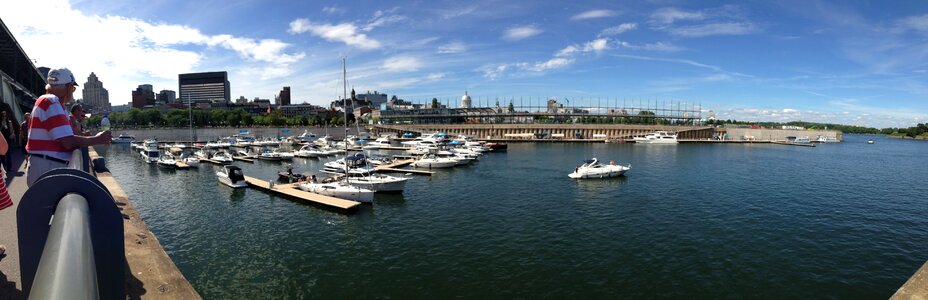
(208, 86)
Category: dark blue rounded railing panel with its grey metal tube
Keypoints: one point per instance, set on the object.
(71, 240)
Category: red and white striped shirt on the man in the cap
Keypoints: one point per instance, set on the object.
(50, 122)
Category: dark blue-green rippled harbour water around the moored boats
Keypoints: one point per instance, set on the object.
(845, 220)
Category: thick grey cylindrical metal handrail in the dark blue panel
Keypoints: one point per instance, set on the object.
(67, 269)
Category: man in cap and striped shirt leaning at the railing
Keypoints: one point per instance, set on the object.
(51, 139)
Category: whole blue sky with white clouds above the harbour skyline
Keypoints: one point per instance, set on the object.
(849, 62)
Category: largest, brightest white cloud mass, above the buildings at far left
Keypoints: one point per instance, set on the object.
(125, 52)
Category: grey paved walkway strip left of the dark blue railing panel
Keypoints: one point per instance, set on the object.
(10, 286)
